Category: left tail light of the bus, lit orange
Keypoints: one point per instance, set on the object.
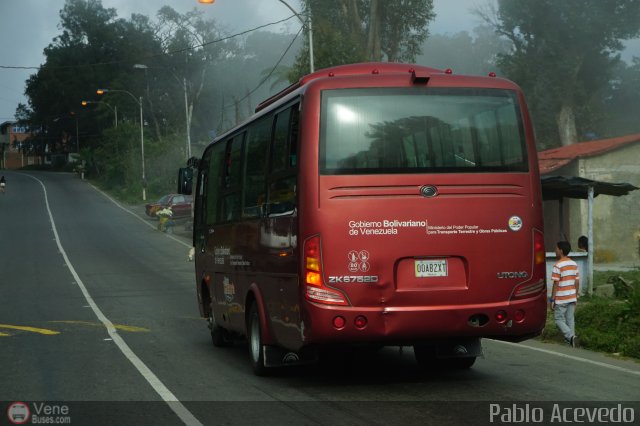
(315, 290)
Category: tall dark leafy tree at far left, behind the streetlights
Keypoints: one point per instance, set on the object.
(95, 49)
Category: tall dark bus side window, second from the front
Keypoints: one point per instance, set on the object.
(232, 179)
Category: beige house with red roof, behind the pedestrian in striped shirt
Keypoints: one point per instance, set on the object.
(616, 220)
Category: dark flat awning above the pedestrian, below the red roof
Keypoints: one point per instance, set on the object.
(558, 187)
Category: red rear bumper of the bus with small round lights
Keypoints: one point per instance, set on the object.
(512, 321)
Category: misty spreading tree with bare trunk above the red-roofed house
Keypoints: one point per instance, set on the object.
(563, 52)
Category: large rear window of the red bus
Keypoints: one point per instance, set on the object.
(430, 130)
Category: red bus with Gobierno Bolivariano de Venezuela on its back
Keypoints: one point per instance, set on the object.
(373, 204)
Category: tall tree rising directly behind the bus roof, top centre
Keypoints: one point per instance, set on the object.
(348, 31)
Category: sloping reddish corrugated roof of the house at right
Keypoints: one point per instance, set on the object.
(553, 159)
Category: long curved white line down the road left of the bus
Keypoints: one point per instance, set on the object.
(167, 396)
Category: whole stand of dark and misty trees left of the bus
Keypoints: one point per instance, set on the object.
(181, 54)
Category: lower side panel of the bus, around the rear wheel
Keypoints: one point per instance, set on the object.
(263, 254)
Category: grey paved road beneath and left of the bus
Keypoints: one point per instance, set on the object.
(98, 315)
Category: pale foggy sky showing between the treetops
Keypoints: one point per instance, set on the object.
(28, 26)
